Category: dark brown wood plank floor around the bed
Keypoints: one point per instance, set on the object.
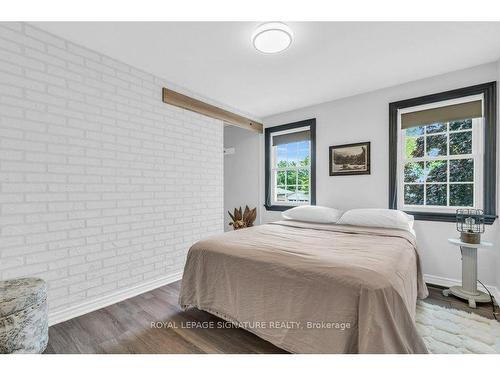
(125, 327)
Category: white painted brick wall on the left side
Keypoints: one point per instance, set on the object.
(102, 186)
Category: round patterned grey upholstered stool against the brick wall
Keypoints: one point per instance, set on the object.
(23, 316)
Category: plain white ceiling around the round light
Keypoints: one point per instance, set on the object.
(327, 60)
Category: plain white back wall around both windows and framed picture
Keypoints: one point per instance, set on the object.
(365, 118)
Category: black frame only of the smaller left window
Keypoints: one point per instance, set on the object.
(267, 150)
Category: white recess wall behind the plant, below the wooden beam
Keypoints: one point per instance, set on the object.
(241, 171)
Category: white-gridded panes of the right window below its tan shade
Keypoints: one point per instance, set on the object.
(441, 166)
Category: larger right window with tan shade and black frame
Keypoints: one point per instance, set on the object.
(442, 153)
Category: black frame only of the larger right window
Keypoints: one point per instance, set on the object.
(489, 91)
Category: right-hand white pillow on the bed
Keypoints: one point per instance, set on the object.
(377, 217)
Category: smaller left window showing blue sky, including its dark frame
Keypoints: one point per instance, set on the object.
(290, 165)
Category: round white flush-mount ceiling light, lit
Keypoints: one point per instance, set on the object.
(272, 37)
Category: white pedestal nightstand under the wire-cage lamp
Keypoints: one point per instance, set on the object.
(468, 290)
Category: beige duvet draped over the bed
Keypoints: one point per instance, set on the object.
(311, 288)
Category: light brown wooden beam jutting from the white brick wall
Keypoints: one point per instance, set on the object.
(183, 101)
